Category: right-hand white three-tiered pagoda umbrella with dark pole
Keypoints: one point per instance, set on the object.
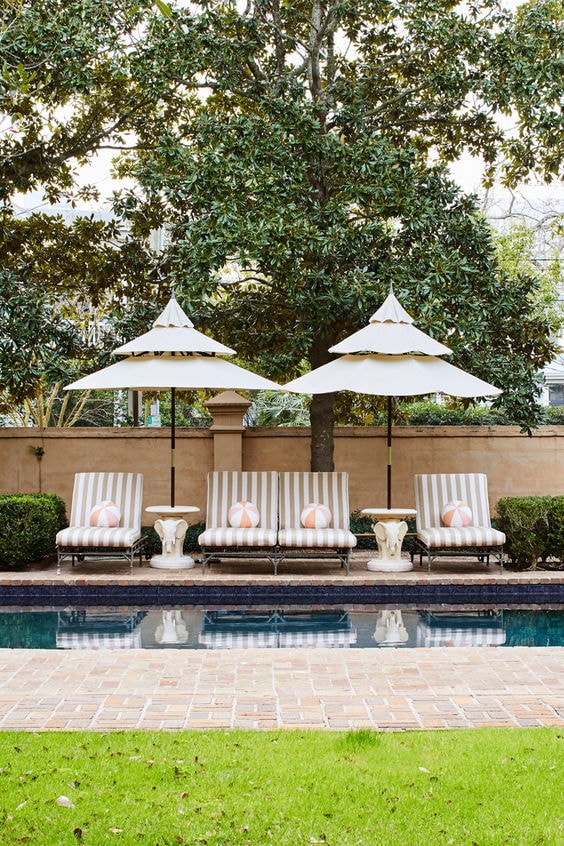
(391, 357)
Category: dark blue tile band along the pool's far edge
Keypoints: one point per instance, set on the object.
(108, 594)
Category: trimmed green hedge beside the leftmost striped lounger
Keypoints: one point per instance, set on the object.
(28, 526)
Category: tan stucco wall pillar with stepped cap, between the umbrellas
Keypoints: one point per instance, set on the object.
(228, 410)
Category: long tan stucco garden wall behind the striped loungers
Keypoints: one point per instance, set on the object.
(515, 464)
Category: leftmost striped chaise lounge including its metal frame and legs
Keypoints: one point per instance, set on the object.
(82, 539)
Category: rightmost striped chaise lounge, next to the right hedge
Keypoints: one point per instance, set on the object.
(432, 493)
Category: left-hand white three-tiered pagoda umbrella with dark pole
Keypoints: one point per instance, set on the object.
(171, 356)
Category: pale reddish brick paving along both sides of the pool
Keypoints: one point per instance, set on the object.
(335, 689)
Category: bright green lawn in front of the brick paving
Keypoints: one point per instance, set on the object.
(288, 788)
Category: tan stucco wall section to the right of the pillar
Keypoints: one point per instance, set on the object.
(515, 464)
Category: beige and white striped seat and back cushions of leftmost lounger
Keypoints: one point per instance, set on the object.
(125, 489)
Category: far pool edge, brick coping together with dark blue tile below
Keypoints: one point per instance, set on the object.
(453, 582)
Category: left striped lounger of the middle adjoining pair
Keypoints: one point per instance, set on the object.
(222, 538)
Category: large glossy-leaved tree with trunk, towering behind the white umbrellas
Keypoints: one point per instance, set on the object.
(295, 153)
